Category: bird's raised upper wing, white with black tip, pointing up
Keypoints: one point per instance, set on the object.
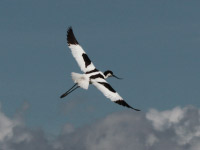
(79, 54)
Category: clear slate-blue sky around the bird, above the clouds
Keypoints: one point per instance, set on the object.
(153, 45)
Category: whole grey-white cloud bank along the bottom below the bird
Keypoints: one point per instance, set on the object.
(177, 129)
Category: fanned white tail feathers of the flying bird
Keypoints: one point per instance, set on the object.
(81, 79)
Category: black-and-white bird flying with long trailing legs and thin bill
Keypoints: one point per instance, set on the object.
(91, 74)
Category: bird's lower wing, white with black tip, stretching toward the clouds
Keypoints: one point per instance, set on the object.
(110, 93)
